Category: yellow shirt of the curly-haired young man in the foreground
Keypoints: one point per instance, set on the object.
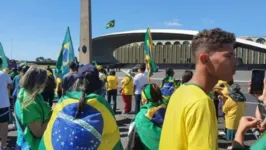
(190, 121)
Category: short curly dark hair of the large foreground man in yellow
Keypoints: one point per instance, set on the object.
(211, 40)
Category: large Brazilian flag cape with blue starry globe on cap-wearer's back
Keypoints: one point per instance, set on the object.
(96, 128)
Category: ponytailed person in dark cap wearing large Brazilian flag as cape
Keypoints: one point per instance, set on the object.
(82, 119)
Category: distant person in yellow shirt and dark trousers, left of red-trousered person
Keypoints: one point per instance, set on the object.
(112, 83)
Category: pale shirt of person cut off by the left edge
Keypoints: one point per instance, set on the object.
(4, 81)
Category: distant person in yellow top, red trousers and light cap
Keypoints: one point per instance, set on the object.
(127, 91)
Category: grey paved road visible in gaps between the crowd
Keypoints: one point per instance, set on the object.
(123, 120)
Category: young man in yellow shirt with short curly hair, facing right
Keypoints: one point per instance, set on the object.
(190, 122)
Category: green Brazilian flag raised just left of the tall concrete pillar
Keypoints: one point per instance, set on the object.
(65, 57)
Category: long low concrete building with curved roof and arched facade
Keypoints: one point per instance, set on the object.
(170, 47)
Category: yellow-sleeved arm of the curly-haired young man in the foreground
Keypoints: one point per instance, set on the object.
(200, 127)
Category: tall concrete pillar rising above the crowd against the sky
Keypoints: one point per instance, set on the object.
(85, 50)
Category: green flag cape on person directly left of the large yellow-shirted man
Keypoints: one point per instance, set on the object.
(145, 122)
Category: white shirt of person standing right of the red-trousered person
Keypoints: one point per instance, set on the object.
(139, 81)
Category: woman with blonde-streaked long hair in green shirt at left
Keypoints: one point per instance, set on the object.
(32, 113)
